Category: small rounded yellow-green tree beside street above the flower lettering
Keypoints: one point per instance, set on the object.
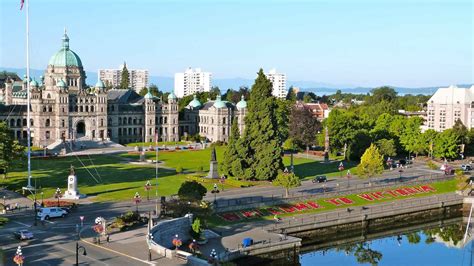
(371, 163)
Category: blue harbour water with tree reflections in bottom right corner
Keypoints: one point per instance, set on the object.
(429, 246)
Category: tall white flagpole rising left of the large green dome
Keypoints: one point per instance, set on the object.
(28, 122)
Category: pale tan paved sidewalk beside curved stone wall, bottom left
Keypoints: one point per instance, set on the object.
(131, 244)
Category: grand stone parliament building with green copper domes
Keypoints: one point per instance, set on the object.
(63, 108)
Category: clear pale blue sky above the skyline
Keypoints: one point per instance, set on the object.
(359, 43)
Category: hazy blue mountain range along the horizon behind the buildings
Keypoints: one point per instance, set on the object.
(319, 88)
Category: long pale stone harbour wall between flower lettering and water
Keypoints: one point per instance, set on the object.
(358, 214)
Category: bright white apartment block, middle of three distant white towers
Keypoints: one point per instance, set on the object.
(191, 82)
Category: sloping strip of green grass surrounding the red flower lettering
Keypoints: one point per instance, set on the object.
(441, 188)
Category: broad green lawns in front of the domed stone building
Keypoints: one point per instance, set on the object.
(112, 177)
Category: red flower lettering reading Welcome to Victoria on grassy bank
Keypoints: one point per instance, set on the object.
(339, 201)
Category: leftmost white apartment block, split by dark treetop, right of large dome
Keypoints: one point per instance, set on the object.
(138, 79)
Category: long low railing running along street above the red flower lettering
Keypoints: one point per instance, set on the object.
(224, 205)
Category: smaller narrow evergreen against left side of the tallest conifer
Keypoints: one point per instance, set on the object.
(231, 154)
